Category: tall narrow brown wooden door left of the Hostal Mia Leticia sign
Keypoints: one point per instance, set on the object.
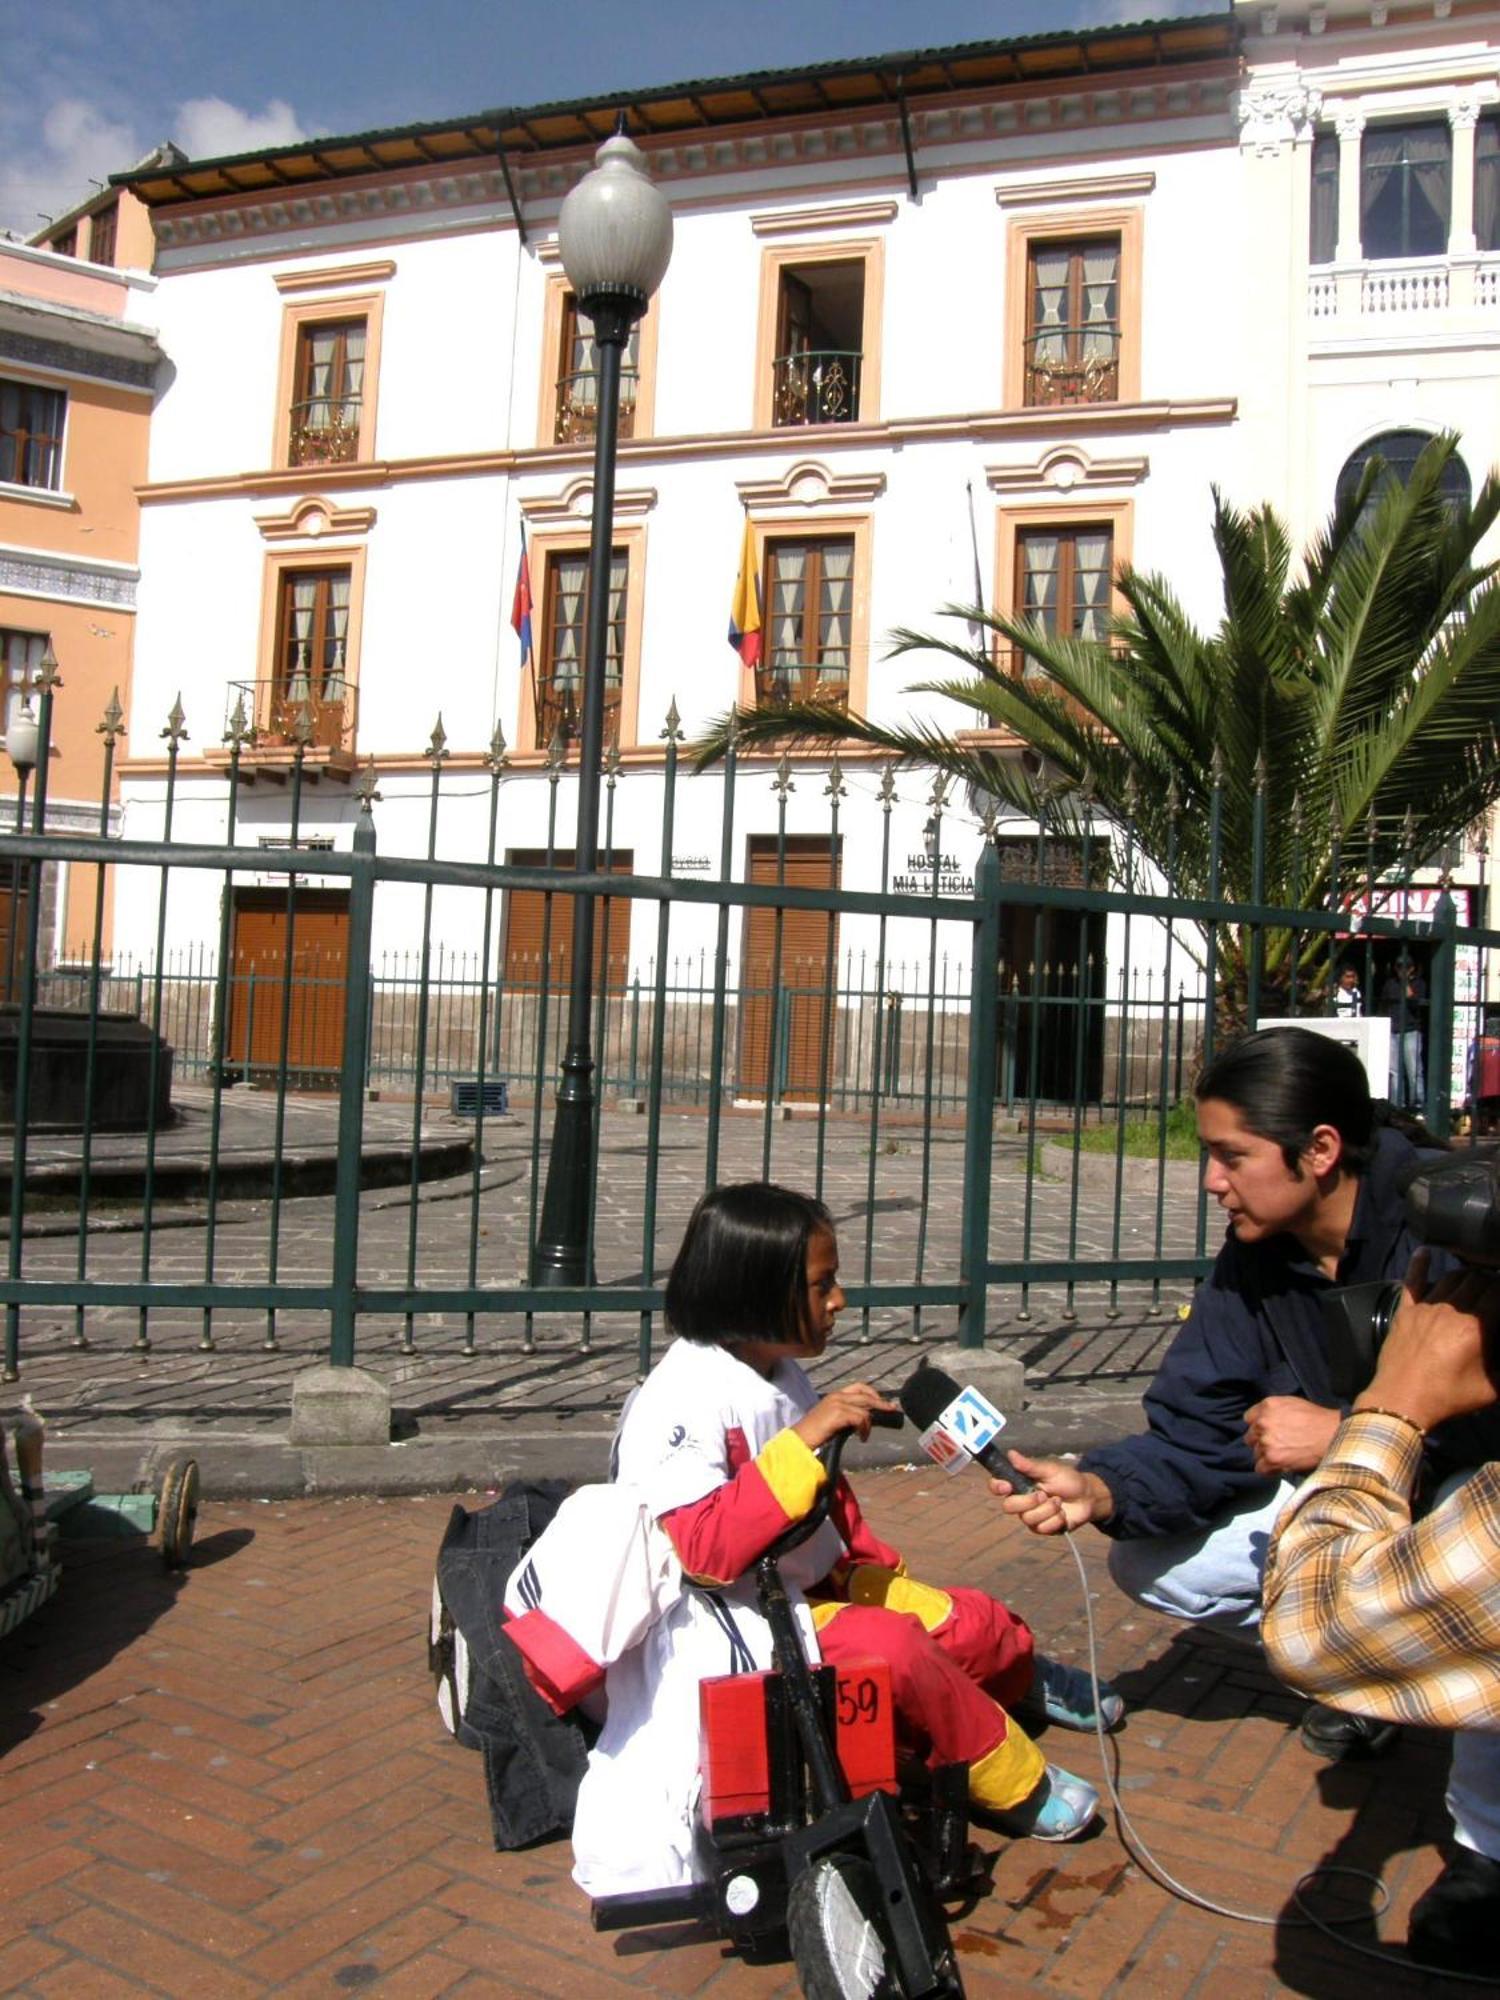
(785, 1015)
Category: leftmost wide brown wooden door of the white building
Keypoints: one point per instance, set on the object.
(261, 999)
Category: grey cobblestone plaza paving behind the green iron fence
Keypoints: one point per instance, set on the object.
(465, 1417)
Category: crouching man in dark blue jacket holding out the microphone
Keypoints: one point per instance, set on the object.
(1247, 1399)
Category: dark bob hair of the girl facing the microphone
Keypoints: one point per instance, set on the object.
(741, 1273)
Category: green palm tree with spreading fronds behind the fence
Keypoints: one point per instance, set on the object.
(1337, 725)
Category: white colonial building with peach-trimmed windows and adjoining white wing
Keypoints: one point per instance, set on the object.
(1001, 313)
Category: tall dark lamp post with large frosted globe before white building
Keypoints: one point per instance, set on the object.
(615, 235)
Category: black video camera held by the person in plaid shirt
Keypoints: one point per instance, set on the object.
(1451, 1205)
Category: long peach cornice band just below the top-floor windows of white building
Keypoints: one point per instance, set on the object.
(969, 427)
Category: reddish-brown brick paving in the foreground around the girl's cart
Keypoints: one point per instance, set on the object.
(235, 1783)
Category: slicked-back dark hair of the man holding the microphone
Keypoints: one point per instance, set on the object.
(1289, 1081)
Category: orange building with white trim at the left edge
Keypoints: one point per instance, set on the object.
(79, 377)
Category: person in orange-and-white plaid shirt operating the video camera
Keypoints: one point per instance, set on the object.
(1397, 1617)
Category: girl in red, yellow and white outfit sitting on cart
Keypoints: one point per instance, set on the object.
(721, 1445)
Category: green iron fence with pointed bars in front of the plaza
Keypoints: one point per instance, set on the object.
(941, 1081)
